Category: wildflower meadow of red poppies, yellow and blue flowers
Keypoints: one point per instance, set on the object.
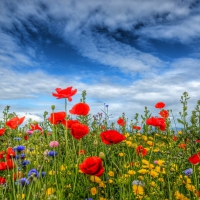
(73, 154)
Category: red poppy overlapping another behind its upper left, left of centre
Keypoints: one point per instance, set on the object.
(79, 130)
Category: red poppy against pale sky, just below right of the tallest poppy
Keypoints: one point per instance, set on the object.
(80, 109)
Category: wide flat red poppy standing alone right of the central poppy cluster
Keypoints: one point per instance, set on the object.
(111, 136)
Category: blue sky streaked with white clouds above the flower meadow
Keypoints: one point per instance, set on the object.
(127, 54)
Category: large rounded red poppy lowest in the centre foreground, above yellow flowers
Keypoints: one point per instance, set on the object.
(92, 166)
